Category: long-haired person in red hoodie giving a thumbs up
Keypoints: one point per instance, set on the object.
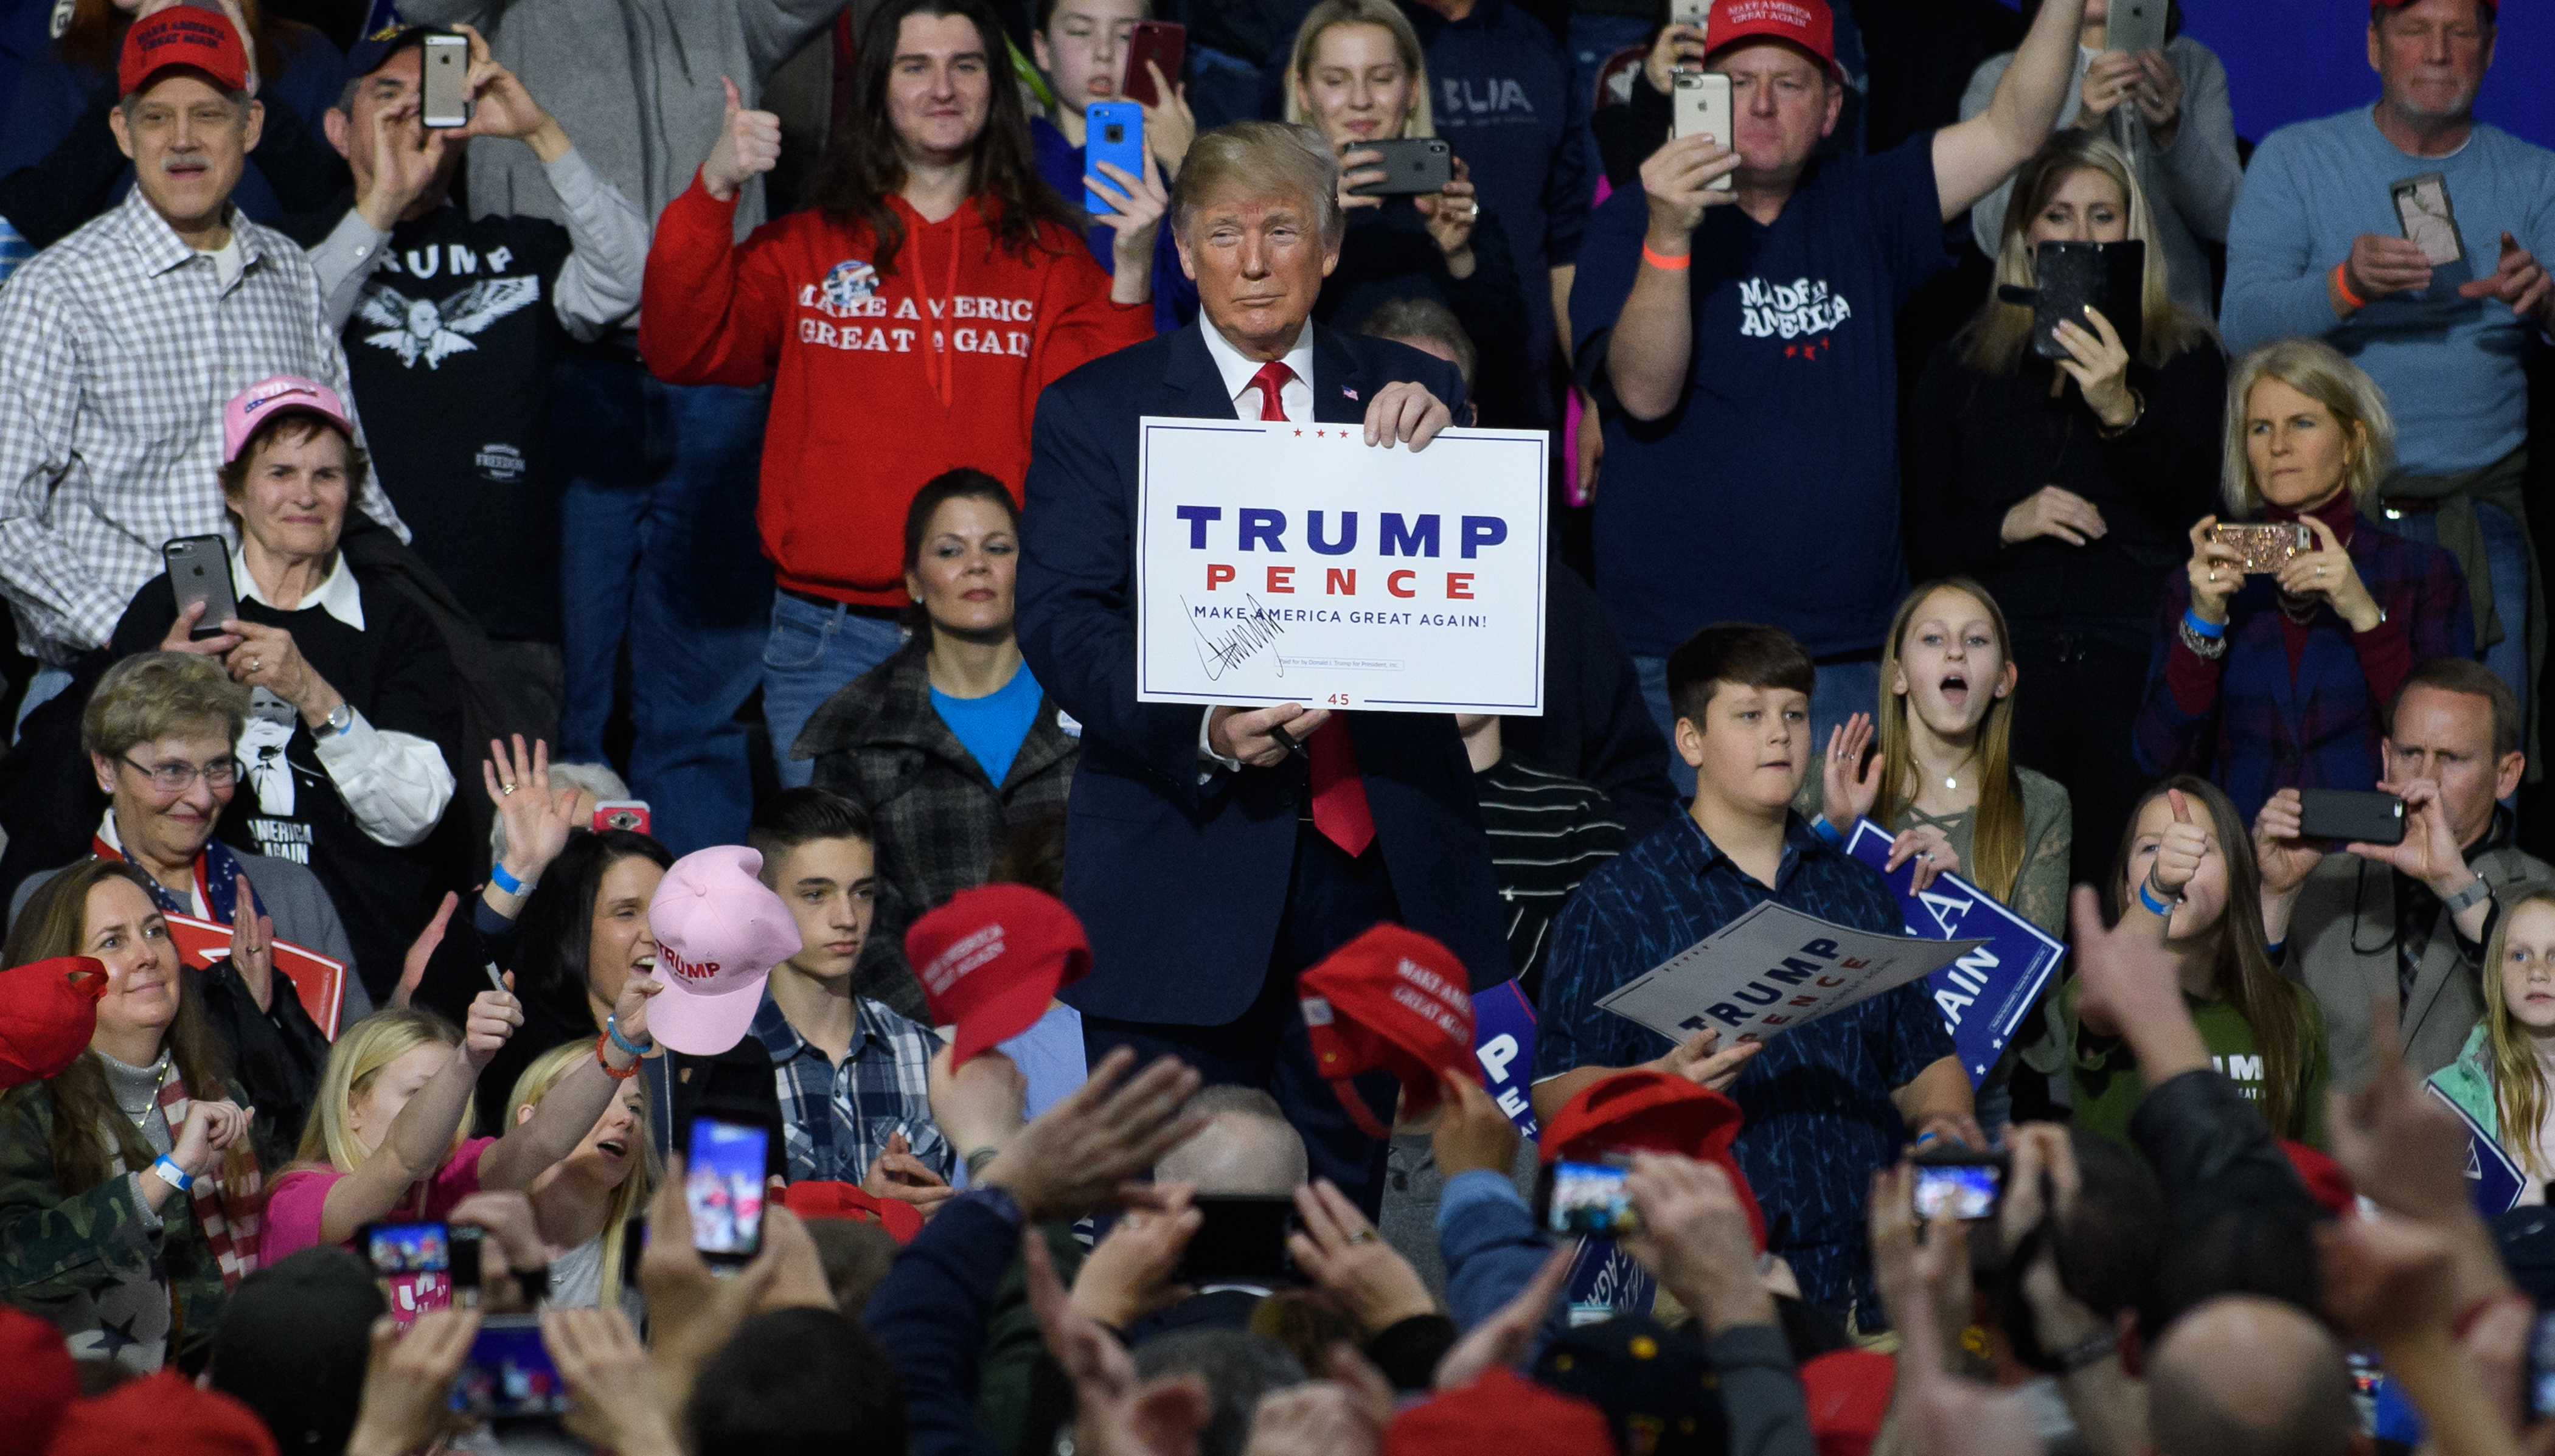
(906, 321)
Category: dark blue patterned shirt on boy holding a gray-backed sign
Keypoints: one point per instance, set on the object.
(1818, 1100)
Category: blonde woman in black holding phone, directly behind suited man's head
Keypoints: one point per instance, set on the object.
(1358, 78)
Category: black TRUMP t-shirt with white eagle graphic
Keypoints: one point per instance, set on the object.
(454, 346)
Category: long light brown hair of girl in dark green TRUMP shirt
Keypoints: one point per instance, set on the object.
(2245, 977)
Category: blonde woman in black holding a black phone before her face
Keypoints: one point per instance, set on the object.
(2066, 487)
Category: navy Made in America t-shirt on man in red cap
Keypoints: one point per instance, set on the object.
(1769, 494)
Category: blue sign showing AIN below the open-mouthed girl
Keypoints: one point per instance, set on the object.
(1987, 995)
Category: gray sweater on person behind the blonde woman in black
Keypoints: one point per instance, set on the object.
(2191, 188)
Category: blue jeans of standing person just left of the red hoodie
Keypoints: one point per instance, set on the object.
(663, 558)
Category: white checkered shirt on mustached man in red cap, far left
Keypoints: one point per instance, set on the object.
(119, 351)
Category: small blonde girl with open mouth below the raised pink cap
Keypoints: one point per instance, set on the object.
(589, 1199)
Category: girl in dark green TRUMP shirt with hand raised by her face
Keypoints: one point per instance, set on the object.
(2183, 862)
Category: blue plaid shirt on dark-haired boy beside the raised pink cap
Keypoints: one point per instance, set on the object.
(839, 1118)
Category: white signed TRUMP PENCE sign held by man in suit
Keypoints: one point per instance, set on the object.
(1292, 563)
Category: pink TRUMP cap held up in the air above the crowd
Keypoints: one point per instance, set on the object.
(719, 936)
